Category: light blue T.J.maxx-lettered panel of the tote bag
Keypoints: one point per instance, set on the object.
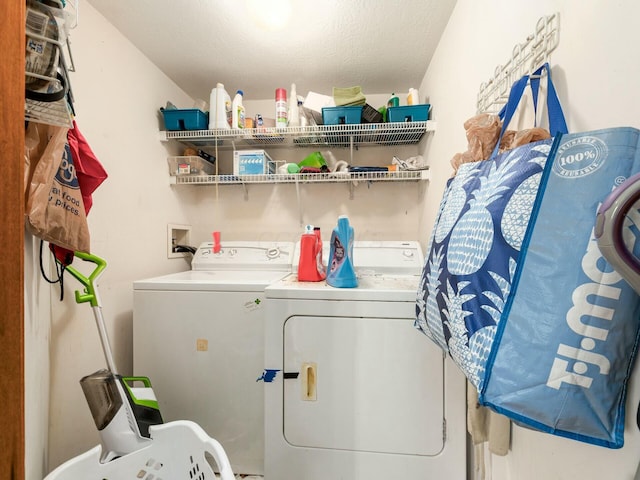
(564, 350)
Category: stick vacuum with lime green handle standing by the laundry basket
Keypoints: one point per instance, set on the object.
(123, 408)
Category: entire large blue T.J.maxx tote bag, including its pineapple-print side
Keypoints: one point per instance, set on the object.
(520, 296)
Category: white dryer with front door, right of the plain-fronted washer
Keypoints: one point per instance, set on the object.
(355, 391)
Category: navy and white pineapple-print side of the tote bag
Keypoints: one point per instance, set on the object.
(474, 251)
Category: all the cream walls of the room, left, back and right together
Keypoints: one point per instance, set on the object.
(118, 93)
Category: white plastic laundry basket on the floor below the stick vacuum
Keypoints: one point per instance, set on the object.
(179, 451)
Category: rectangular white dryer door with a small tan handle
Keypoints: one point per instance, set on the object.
(363, 384)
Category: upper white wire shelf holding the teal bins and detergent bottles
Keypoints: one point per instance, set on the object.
(378, 134)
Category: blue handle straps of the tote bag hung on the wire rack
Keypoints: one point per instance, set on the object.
(557, 123)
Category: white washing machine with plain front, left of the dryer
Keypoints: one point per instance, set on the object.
(199, 337)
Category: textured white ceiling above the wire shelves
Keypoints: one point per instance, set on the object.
(381, 45)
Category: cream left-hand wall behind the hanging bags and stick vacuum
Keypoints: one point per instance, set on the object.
(117, 95)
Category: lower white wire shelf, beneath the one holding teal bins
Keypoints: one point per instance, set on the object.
(403, 175)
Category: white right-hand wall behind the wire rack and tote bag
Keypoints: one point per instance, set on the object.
(596, 74)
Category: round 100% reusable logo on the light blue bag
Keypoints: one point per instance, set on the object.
(580, 157)
